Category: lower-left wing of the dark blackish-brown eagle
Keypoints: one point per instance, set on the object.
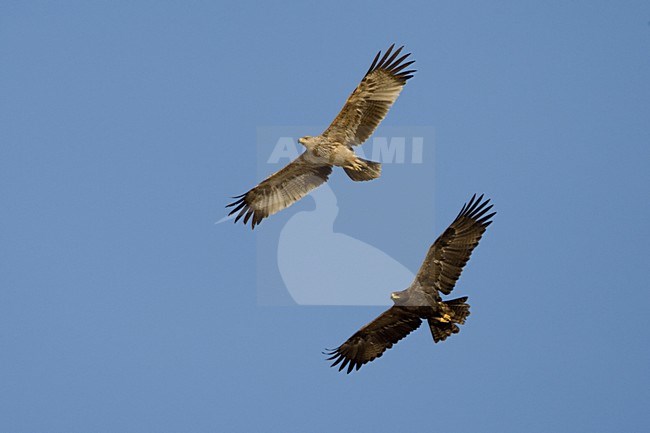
(375, 338)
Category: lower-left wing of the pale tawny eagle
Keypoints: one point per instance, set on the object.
(280, 190)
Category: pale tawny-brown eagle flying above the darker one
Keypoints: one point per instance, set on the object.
(364, 109)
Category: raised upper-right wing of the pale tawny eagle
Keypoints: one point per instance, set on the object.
(371, 100)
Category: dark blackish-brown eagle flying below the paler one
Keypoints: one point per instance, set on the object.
(421, 300)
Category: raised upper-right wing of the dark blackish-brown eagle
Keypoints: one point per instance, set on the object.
(451, 251)
